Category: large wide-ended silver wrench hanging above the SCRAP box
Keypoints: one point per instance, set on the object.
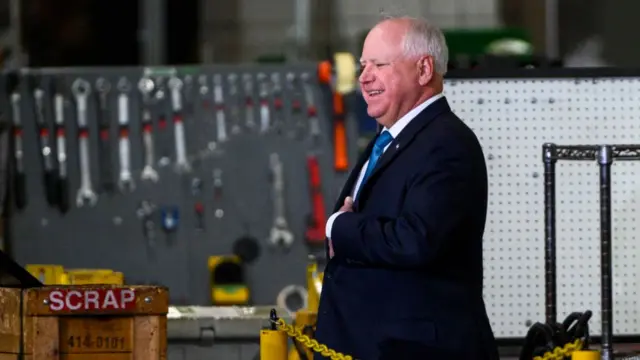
(81, 90)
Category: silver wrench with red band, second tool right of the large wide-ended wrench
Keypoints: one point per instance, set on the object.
(125, 178)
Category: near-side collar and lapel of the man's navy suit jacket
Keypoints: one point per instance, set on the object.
(407, 135)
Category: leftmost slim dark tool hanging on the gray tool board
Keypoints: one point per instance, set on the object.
(20, 177)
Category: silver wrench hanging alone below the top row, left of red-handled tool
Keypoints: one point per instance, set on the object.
(280, 233)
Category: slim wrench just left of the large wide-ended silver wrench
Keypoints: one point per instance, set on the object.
(61, 147)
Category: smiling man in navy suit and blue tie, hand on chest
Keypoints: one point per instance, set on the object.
(404, 276)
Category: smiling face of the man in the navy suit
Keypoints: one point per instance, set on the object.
(389, 80)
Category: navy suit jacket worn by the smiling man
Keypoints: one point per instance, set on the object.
(406, 278)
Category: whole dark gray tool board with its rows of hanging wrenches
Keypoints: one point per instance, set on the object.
(159, 222)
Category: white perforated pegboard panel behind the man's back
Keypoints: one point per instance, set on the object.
(513, 118)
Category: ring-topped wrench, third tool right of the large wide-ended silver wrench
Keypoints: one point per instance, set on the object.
(146, 87)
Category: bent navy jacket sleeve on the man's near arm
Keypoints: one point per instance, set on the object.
(435, 204)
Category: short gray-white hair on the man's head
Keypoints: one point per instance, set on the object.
(424, 38)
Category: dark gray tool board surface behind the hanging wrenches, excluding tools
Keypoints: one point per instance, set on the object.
(111, 233)
